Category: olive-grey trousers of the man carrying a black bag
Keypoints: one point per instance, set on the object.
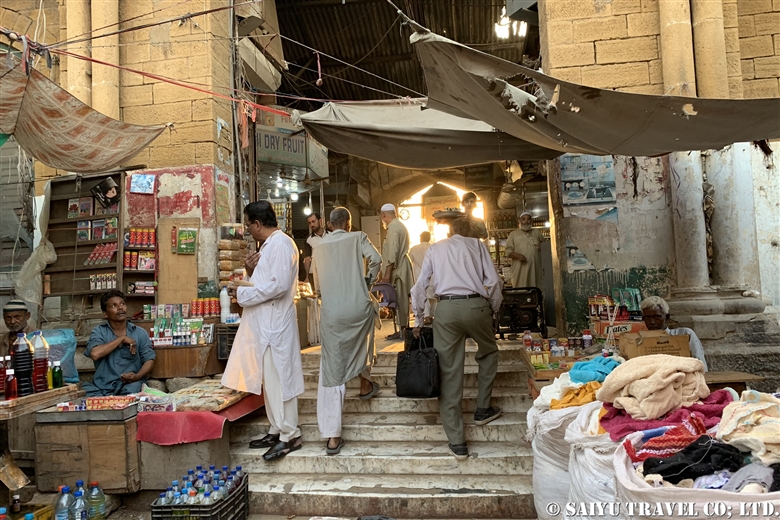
(453, 321)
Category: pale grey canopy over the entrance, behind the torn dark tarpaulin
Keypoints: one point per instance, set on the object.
(403, 133)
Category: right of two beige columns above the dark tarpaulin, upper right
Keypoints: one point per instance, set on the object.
(709, 48)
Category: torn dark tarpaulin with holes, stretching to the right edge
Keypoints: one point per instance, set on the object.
(573, 118)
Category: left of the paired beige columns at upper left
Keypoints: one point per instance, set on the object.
(79, 71)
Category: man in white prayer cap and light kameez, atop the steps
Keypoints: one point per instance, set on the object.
(396, 266)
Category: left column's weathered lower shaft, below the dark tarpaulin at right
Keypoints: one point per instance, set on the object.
(690, 235)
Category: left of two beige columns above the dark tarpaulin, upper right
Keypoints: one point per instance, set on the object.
(677, 62)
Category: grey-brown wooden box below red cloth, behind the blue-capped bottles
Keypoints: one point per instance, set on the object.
(162, 464)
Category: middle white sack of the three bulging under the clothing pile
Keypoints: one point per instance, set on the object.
(591, 468)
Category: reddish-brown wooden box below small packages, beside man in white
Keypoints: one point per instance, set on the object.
(192, 361)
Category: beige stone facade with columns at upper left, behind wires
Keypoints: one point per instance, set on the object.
(195, 51)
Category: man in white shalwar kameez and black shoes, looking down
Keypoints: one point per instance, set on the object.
(266, 354)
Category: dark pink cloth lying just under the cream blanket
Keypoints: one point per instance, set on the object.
(619, 424)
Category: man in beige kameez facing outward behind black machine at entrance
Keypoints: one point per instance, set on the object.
(524, 248)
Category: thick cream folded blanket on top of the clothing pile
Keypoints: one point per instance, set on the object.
(648, 387)
